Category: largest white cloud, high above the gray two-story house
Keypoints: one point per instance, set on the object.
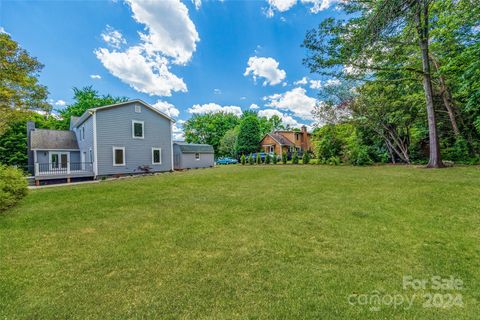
(169, 36)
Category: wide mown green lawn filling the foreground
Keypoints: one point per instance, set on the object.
(245, 242)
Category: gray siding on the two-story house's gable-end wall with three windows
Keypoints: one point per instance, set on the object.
(114, 128)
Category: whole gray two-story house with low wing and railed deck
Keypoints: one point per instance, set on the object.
(125, 138)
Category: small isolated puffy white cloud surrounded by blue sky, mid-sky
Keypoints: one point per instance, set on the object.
(266, 68)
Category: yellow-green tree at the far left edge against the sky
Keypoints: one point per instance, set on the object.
(19, 87)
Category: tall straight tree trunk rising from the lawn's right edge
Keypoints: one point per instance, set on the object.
(435, 160)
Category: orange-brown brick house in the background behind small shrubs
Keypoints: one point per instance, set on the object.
(286, 141)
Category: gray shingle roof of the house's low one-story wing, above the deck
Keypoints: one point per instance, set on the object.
(53, 139)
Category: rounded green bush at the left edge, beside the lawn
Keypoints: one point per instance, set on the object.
(13, 186)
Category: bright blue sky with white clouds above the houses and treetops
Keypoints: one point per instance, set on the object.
(183, 57)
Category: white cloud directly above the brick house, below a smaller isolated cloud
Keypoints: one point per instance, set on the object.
(295, 100)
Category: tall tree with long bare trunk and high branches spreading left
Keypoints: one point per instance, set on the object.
(369, 44)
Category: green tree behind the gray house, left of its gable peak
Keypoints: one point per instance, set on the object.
(85, 99)
